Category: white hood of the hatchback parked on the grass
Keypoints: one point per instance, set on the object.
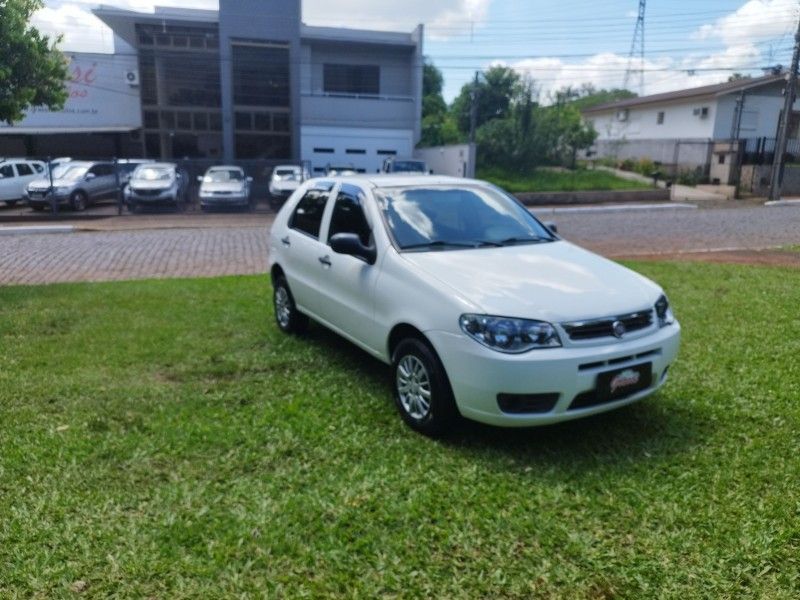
(551, 281)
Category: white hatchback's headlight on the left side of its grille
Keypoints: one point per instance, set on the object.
(512, 336)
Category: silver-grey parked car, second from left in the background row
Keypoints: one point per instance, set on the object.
(76, 183)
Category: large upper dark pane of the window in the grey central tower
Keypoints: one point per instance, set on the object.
(260, 75)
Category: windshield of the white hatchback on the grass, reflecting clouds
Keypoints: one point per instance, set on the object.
(451, 217)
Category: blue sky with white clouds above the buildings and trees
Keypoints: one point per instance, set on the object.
(688, 43)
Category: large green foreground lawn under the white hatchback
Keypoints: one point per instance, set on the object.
(163, 439)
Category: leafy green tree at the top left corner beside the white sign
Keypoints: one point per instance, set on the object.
(32, 70)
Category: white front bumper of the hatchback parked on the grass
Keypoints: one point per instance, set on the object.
(478, 374)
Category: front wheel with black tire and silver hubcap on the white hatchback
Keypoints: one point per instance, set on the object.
(410, 387)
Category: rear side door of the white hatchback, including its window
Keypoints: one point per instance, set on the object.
(302, 249)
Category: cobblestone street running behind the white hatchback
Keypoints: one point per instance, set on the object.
(233, 248)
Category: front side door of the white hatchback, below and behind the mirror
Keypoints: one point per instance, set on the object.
(348, 283)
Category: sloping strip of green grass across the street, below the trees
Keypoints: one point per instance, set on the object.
(547, 180)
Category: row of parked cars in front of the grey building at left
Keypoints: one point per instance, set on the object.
(141, 182)
